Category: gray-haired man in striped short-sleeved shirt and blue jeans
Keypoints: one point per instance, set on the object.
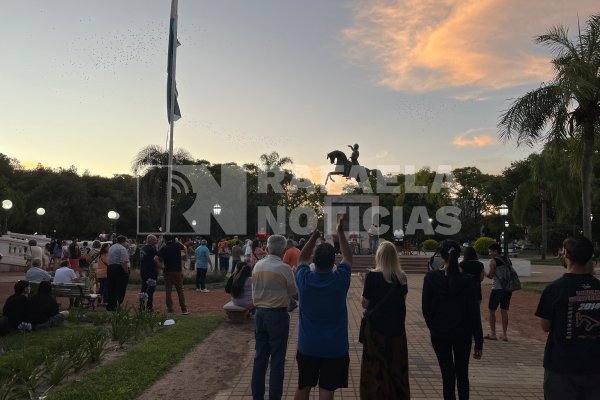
(272, 287)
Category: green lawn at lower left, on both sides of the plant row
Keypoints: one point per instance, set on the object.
(122, 378)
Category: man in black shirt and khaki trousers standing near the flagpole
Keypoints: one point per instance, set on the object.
(170, 256)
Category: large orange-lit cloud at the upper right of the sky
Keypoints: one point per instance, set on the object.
(425, 45)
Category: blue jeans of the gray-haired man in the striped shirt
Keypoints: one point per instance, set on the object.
(271, 331)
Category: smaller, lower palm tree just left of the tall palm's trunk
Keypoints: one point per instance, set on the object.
(551, 183)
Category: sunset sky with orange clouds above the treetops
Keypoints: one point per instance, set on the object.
(413, 82)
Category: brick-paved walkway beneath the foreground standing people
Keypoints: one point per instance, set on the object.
(508, 370)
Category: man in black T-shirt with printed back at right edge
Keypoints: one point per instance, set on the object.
(569, 309)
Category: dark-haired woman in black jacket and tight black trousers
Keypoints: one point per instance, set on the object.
(451, 310)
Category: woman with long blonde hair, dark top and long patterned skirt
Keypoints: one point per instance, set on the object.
(384, 367)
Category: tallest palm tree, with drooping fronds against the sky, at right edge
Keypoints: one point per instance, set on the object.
(571, 101)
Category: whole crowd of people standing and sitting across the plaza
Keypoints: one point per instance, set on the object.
(273, 280)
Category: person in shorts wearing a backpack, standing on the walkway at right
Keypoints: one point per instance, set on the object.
(499, 296)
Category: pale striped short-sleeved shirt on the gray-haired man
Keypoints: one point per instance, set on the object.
(272, 283)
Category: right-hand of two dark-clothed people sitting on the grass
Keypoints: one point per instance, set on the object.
(42, 308)
